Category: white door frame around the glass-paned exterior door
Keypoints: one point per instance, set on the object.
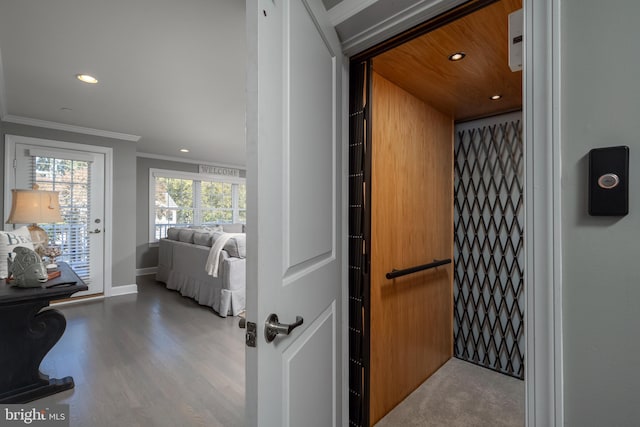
(10, 143)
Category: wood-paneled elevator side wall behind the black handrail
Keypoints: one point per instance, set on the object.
(411, 224)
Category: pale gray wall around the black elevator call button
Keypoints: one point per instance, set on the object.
(601, 256)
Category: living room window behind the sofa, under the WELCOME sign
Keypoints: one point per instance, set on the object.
(179, 199)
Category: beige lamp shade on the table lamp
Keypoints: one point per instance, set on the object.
(34, 206)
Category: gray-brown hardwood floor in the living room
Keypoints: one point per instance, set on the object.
(151, 359)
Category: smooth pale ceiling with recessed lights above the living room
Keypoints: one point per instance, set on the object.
(171, 73)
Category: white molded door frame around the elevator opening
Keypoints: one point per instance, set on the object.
(543, 250)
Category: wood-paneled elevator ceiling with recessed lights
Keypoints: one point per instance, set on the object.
(461, 89)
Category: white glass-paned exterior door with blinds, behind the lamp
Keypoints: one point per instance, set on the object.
(78, 176)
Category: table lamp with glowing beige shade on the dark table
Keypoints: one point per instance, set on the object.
(32, 207)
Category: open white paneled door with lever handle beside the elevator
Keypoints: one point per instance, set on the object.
(295, 214)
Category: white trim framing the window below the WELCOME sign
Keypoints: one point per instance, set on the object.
(197, 177)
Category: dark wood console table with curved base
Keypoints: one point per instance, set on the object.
(27, 333)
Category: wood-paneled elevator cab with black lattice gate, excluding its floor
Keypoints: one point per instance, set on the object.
(436, 207)
